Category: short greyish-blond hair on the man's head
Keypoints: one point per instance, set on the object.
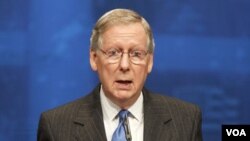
(119, 16)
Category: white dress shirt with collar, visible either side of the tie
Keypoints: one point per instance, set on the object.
(111, 120)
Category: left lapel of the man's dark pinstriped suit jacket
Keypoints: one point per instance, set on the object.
(89, 121)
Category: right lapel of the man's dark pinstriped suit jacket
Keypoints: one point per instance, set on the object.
(157, 119)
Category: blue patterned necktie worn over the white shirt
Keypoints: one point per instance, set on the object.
(119, 134)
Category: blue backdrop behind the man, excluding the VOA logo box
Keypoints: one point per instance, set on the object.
(202, 55)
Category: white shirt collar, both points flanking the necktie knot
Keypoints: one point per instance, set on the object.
(110, 110)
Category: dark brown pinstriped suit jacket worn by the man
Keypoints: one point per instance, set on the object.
(165, 119)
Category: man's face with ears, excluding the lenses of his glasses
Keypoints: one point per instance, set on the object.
(122, 81)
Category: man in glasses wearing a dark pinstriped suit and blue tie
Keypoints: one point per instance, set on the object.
(120, 108)
